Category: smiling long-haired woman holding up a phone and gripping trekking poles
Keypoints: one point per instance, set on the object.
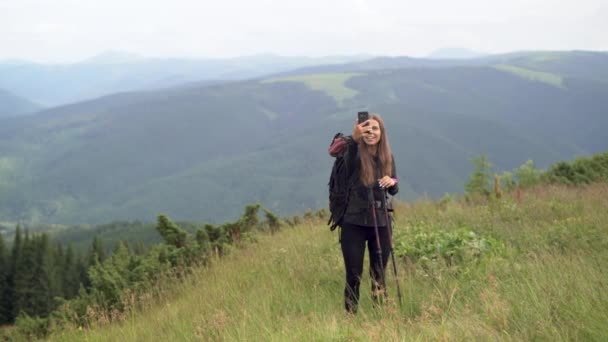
(372, 168)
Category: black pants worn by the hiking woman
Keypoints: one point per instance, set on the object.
(353, 239)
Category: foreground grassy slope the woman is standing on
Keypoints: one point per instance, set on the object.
(549, 282)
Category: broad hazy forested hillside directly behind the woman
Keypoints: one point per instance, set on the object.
(201, 153)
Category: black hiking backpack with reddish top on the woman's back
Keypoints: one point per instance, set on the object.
(339, 185)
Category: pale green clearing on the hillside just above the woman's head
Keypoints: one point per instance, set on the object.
(331, 84)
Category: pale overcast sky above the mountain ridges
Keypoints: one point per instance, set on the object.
(72, 30)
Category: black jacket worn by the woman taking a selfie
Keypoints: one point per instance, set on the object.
(359, 210)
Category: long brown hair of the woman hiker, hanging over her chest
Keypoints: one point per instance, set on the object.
(383, 152)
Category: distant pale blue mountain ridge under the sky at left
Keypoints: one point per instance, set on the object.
(113, 72)
